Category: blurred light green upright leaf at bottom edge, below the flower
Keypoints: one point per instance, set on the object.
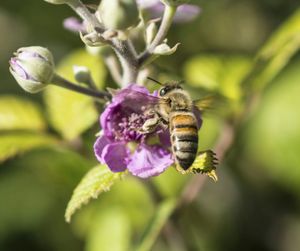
(110, 231)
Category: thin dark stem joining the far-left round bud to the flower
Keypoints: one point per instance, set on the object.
(61, 82)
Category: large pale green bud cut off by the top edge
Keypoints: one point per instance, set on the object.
(119, 14)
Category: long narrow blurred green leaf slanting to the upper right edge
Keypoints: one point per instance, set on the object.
(275, 54)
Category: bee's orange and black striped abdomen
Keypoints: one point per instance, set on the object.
(184, 137)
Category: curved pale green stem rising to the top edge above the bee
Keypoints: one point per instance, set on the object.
(167, 20)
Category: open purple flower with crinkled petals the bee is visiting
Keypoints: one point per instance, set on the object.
(122, 146)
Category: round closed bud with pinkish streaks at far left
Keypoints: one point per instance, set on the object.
(32, 67)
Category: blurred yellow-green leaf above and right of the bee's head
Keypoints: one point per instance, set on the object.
(217, 73)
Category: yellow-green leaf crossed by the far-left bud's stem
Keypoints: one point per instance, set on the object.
(72, 113)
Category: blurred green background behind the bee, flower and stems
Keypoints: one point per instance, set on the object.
(255, 205)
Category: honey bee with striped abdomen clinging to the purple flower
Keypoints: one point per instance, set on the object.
(175, 110)
